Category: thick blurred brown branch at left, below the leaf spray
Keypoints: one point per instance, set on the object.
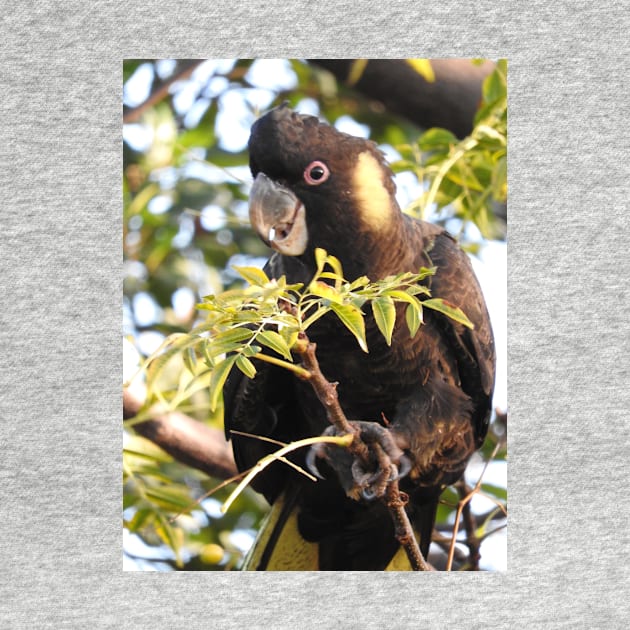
(184, 438)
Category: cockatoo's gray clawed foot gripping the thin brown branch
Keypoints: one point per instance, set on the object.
(371, 463)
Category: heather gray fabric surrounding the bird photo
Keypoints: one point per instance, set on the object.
(569, 307)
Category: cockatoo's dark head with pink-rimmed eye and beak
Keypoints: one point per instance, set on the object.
(315, 186)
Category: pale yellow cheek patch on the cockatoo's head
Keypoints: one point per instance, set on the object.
(372, 197)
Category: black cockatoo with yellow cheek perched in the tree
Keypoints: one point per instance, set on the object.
(317, 187)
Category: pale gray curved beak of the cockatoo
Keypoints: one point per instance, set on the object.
(278, 216)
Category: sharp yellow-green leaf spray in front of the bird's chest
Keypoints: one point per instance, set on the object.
(269, 313)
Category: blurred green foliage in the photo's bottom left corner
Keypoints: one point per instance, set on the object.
(161, 510)
